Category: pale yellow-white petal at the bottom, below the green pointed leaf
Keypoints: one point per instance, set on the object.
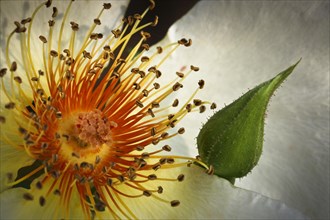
(205, 197)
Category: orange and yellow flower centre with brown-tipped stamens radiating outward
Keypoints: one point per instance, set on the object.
(91, 117)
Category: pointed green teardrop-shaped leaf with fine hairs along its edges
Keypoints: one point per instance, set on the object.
(231, 140)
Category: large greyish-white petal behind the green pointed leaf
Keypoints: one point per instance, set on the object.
(241, 44)
